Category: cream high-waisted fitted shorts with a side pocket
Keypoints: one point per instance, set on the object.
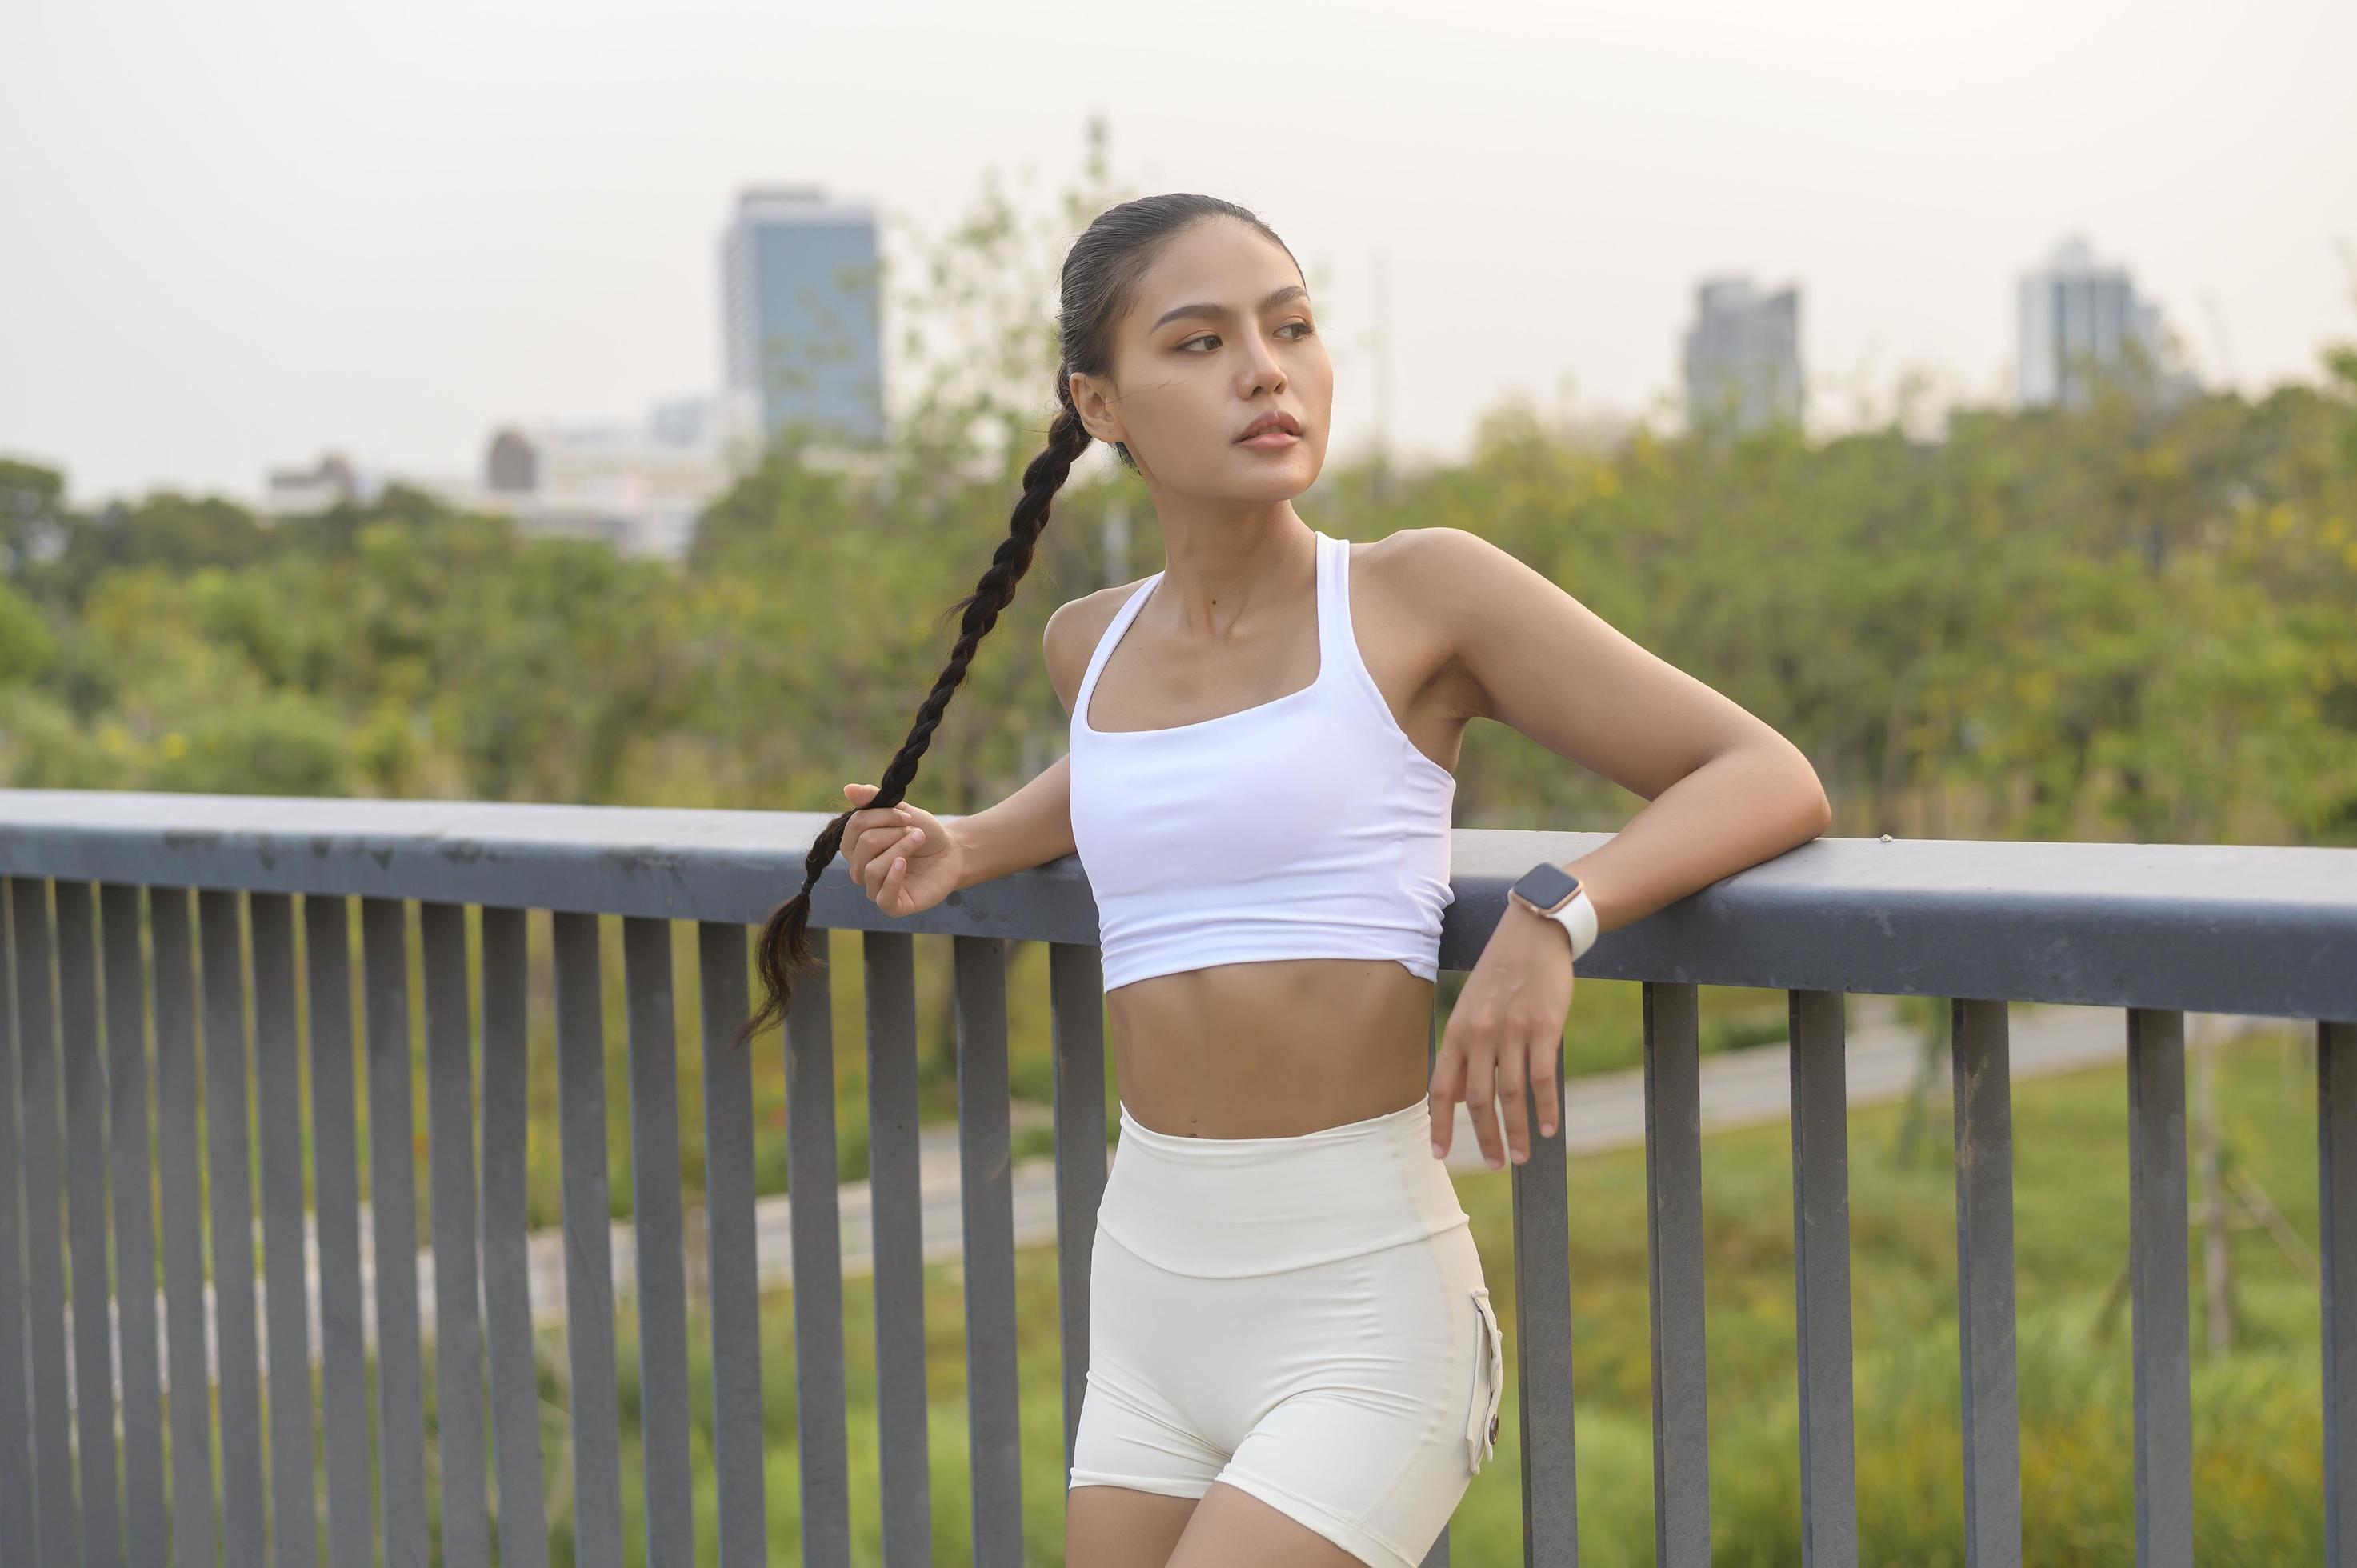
(1298, 1317)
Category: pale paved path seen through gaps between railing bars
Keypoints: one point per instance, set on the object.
(1602, 1114)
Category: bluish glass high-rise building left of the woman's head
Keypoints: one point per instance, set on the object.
(803, 322)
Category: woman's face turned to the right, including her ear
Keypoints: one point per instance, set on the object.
(1217, 336)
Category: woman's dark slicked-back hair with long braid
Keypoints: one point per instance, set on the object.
(1100, 275)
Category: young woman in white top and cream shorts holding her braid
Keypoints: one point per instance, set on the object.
(1293, 1357)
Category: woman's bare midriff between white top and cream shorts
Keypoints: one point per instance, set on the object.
(1272, 1048)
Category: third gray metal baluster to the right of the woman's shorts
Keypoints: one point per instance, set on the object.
(1821, 1237)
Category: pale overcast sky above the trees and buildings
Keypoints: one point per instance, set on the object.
(242, 232)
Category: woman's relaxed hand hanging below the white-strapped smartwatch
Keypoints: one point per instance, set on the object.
(1505, 1036)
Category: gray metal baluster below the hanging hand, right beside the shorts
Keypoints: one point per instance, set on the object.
(1543, 1340)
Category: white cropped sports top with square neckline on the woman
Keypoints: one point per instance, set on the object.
(1309, 826)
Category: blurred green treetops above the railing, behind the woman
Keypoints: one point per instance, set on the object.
(2118, 621)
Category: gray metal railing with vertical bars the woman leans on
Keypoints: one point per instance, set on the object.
(126, 911)
